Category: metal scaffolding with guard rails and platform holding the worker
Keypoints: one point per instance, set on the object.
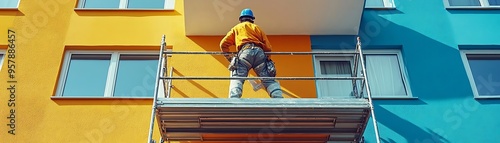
(222, 120)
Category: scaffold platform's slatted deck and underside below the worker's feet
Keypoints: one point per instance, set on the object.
(273, 120)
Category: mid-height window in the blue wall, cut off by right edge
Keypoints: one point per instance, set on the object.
(483, 70)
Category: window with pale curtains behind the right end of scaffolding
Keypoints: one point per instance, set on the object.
(386, 75)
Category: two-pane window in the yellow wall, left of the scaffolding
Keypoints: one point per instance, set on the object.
(112, 74)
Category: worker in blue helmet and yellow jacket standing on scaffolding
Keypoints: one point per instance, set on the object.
(251, 43)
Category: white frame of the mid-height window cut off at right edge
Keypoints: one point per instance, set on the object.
(469, 71)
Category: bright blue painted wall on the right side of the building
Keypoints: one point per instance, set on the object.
(430, 37)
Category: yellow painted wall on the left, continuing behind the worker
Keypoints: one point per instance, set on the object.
(45, 29)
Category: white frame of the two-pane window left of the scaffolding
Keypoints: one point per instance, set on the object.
(111, 76)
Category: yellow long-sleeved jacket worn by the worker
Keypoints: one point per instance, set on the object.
(243, 33)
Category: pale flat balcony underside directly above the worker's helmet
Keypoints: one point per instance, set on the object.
(276, 17)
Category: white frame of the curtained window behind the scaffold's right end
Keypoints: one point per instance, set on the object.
(402, 68)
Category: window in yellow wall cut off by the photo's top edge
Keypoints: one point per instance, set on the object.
(127, 4)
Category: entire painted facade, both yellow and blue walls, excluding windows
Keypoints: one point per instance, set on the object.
(429, 36)
